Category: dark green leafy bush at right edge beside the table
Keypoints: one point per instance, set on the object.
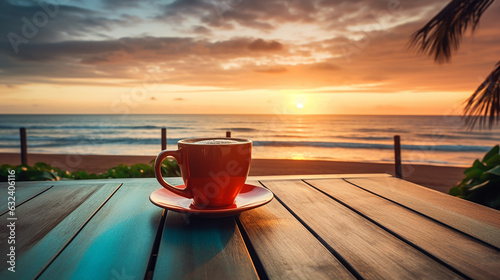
(482, 181)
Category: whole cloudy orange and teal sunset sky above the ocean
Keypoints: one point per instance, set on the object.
(233, 57)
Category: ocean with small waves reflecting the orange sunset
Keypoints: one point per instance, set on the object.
(436, 140)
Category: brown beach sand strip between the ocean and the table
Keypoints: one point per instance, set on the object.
(440, 178)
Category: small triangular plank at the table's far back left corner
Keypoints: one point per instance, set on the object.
(23, 192)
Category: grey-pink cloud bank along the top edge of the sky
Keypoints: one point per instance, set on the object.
(264, 15)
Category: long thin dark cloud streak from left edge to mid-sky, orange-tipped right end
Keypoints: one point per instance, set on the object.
(142, 49)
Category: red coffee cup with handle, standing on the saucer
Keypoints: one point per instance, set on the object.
(213, 169)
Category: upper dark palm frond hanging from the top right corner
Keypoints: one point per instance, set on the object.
(442, 34)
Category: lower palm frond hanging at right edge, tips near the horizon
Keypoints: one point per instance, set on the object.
(483, 105)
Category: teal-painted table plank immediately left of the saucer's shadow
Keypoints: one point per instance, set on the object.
(116, 242)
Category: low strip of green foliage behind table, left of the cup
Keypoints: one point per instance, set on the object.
(45, 172)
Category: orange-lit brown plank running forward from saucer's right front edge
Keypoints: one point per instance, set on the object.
(286, 249)
